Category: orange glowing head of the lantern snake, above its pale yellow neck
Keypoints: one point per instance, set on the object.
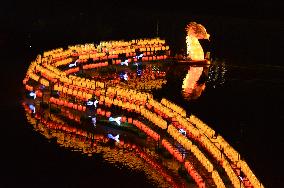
(197, 30)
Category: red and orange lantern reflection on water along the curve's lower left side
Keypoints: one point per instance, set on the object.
(127, 154)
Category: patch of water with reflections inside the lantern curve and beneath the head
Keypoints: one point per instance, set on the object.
(158, 76)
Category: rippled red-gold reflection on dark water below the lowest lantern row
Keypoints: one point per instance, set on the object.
(124, 153)
